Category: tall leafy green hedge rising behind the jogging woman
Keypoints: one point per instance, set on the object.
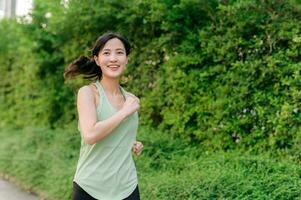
(221, 73)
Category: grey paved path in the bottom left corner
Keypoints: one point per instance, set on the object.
(9, 191)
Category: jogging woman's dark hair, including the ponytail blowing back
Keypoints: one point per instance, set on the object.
(87, 66)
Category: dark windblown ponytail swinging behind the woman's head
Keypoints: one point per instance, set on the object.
(83, 66)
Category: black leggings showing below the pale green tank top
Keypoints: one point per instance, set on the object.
(80, 194)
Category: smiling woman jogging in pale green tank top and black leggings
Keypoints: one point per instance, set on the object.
(108, 122)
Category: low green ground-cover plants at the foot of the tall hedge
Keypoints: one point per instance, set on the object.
(44, 161)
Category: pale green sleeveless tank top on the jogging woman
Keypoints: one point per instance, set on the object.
(106, 169)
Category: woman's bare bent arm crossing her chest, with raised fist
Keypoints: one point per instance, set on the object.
(93, 131)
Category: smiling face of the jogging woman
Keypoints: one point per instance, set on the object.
(112, 59)
